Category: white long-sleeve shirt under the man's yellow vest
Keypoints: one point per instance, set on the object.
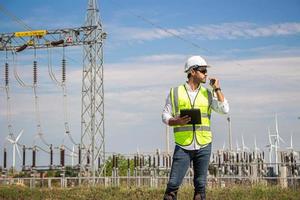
(217, 106)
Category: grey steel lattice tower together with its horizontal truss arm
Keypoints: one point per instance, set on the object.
(91, 37)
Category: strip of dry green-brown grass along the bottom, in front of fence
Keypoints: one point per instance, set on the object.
(112, 193)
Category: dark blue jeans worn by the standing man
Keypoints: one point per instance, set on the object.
(180, 164)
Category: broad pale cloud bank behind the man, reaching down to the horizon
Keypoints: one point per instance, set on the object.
(135, 93)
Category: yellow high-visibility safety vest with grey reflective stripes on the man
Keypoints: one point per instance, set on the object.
(184, 135)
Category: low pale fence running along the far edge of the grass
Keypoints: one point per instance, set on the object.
(147, 181)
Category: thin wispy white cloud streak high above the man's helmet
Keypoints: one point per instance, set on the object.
(233, 30)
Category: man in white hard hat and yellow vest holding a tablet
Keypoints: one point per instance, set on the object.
(193, 143)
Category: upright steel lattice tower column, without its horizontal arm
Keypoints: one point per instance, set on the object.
(92, 110)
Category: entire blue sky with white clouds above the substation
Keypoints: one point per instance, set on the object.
(253, 45)
